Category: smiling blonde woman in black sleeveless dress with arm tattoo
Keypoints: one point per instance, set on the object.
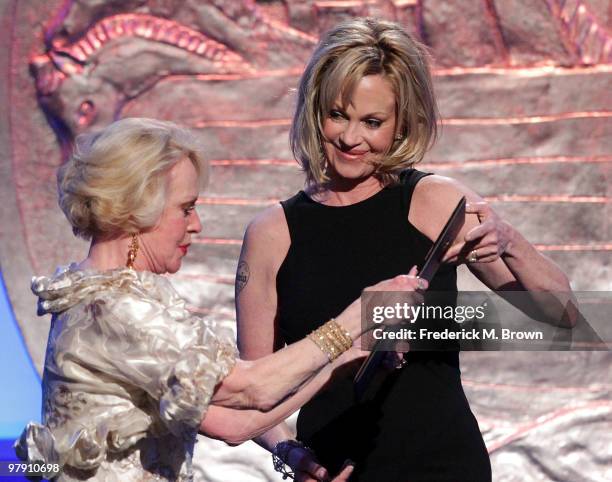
(365, 115)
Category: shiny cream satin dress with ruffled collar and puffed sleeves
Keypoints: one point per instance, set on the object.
(129, 374)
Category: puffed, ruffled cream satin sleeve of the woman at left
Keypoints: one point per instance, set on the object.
(157, 345)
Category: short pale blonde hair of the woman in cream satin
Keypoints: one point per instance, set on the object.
(115, 182)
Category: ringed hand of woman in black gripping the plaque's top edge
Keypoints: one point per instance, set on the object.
(484, 243)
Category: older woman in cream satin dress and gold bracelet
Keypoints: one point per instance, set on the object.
(130, 375)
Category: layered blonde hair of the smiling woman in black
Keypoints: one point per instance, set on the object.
(350, 51)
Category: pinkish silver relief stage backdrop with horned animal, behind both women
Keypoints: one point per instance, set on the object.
(524, 90)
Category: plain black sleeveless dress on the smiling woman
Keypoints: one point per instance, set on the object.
(418, 426)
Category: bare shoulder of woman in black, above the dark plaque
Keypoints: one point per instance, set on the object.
(433, 201)
